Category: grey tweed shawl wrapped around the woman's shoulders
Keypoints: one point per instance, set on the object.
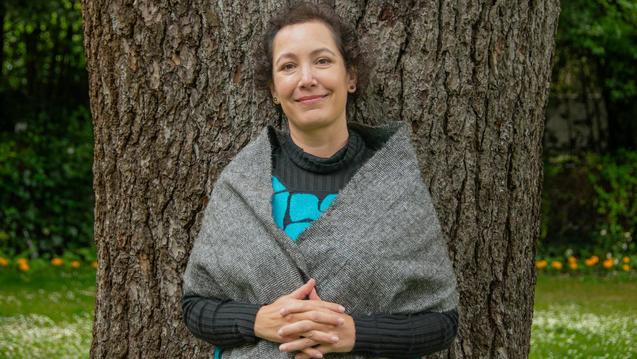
(377, 249)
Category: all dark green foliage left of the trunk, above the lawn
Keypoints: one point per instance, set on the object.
(45, 133)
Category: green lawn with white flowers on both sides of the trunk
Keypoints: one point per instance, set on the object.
(48, 315)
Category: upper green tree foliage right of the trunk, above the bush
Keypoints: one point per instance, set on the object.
(596, 52)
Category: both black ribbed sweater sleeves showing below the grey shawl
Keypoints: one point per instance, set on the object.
(228, 323)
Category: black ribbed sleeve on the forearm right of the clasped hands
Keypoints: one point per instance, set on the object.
(405, 335)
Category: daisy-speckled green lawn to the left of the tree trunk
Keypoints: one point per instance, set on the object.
(46, 313)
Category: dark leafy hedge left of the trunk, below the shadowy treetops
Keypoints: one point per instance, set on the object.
(46, 184)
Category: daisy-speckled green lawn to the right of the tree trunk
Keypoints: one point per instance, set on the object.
(585, 317)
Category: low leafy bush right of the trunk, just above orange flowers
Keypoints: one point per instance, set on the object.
(590, 204)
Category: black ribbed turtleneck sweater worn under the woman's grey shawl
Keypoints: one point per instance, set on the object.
(227, 323)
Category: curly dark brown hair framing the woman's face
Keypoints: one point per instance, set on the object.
(344, 36)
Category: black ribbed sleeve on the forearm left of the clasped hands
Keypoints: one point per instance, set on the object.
(224, 323)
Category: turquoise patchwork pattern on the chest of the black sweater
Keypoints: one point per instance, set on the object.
(301, 207)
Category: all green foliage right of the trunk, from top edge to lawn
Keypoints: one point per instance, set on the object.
(589, 195)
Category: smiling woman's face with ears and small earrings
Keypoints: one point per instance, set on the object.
(309, 75)
